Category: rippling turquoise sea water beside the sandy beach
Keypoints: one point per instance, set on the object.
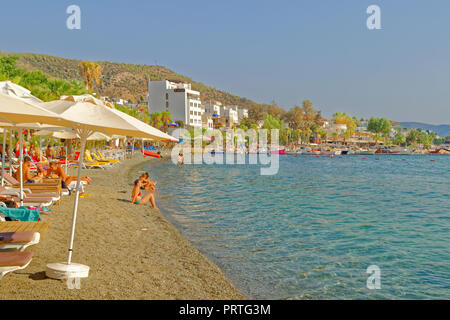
(311, 231)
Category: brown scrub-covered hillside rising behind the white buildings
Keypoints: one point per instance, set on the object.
(122, 80)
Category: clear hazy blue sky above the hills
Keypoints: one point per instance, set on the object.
(282, 51)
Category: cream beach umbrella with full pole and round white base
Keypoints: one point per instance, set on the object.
(92, 115)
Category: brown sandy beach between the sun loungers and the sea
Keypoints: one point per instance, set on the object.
(133, 251)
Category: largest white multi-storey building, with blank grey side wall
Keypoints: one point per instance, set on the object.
(179, 99)
